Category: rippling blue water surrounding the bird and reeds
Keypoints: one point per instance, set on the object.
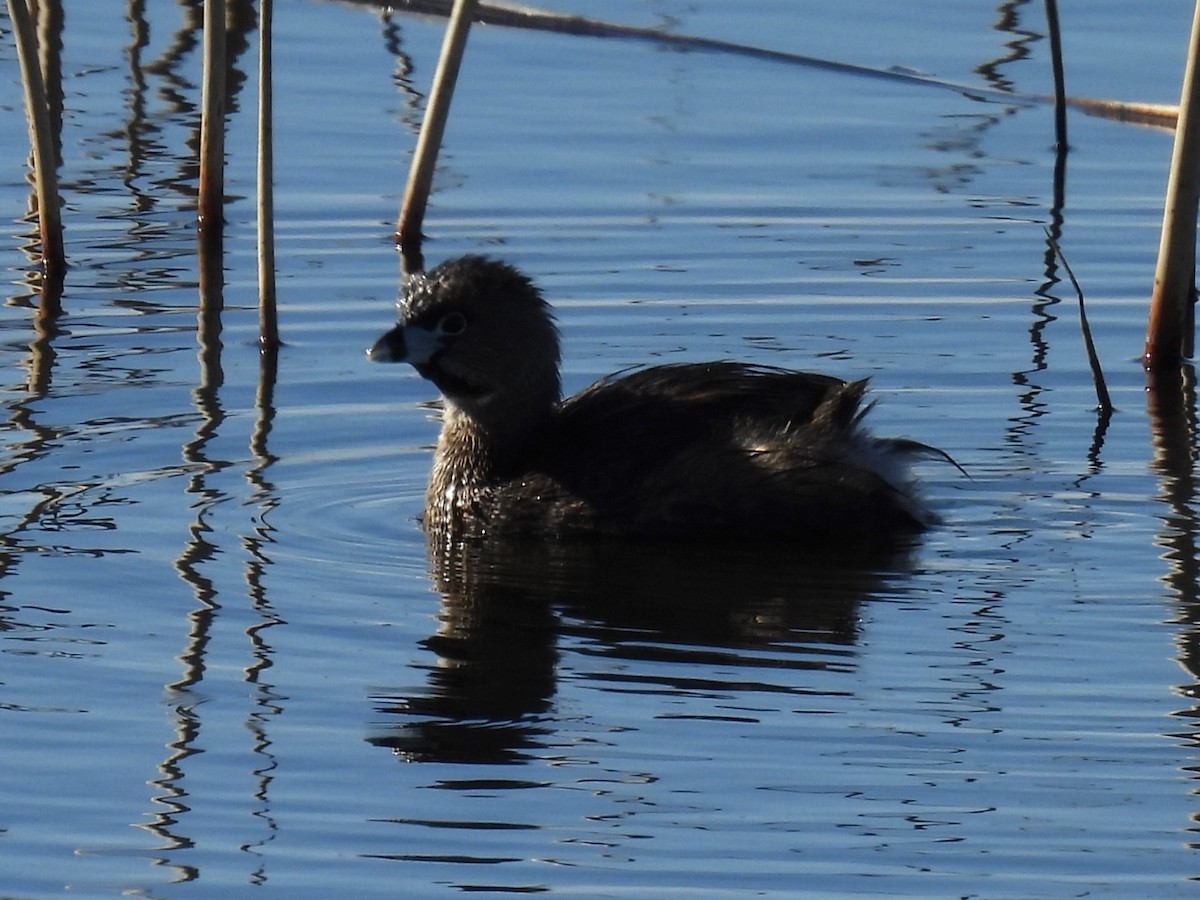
(227, 665)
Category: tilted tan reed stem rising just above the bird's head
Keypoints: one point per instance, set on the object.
(425, 157)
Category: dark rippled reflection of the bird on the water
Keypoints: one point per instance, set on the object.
(507, 605)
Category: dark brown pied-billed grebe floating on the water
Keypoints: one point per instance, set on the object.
(718, 449)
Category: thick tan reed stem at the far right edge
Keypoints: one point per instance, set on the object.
(1171, 304)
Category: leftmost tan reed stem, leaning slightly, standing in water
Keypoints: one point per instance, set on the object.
(46, 184)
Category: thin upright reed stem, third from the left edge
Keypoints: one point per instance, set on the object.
(268, 319)
